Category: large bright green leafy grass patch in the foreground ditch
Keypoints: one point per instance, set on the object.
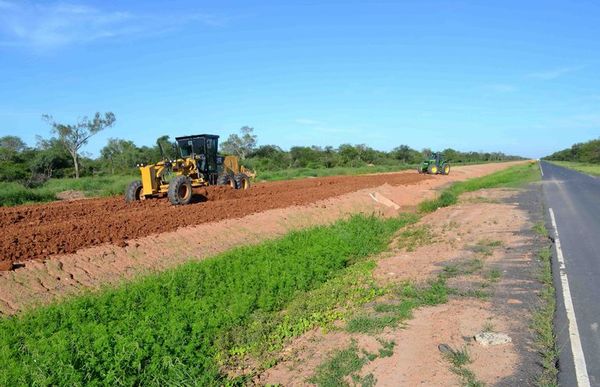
(167, 328)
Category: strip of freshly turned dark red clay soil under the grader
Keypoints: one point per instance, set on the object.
(42, 230)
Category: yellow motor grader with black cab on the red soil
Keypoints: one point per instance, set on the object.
(198, 165)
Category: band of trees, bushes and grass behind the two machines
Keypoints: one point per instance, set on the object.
(30, 174)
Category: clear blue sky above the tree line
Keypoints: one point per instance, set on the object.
(514, 76)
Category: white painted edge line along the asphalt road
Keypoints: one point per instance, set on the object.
(581, 375)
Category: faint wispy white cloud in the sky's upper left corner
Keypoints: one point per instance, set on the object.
(45, 26)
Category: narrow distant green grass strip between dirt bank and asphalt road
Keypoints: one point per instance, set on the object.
(514, 176)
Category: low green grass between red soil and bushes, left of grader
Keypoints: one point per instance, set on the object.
(12, 194)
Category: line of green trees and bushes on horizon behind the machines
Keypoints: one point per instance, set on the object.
(61, 155)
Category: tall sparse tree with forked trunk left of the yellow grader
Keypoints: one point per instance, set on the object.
(73, 137)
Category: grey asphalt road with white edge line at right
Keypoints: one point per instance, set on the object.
(575, 200)
